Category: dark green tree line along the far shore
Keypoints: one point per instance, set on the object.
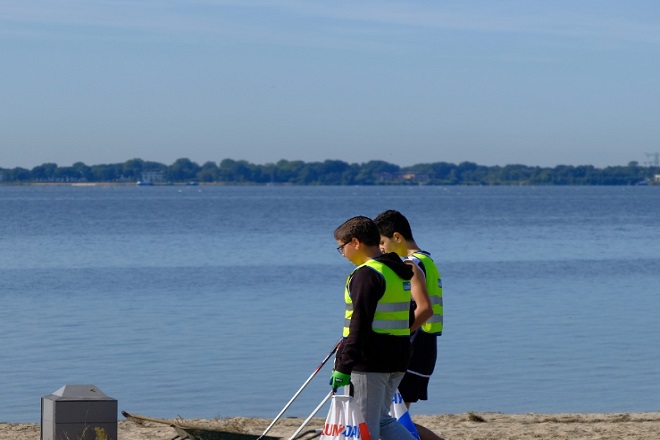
(329, 172)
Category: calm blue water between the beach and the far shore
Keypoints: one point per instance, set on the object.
(221, 301)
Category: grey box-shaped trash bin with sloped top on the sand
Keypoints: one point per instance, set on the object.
(76, 412)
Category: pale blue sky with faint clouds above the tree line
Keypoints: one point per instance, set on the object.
(538, 83)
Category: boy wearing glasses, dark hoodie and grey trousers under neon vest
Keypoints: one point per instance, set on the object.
(375, 350)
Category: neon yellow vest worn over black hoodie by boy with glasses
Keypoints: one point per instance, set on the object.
(393, 310)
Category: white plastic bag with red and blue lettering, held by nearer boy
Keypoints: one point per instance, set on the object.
(344, 420)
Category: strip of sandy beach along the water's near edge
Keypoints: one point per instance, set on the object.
(469, 426)
